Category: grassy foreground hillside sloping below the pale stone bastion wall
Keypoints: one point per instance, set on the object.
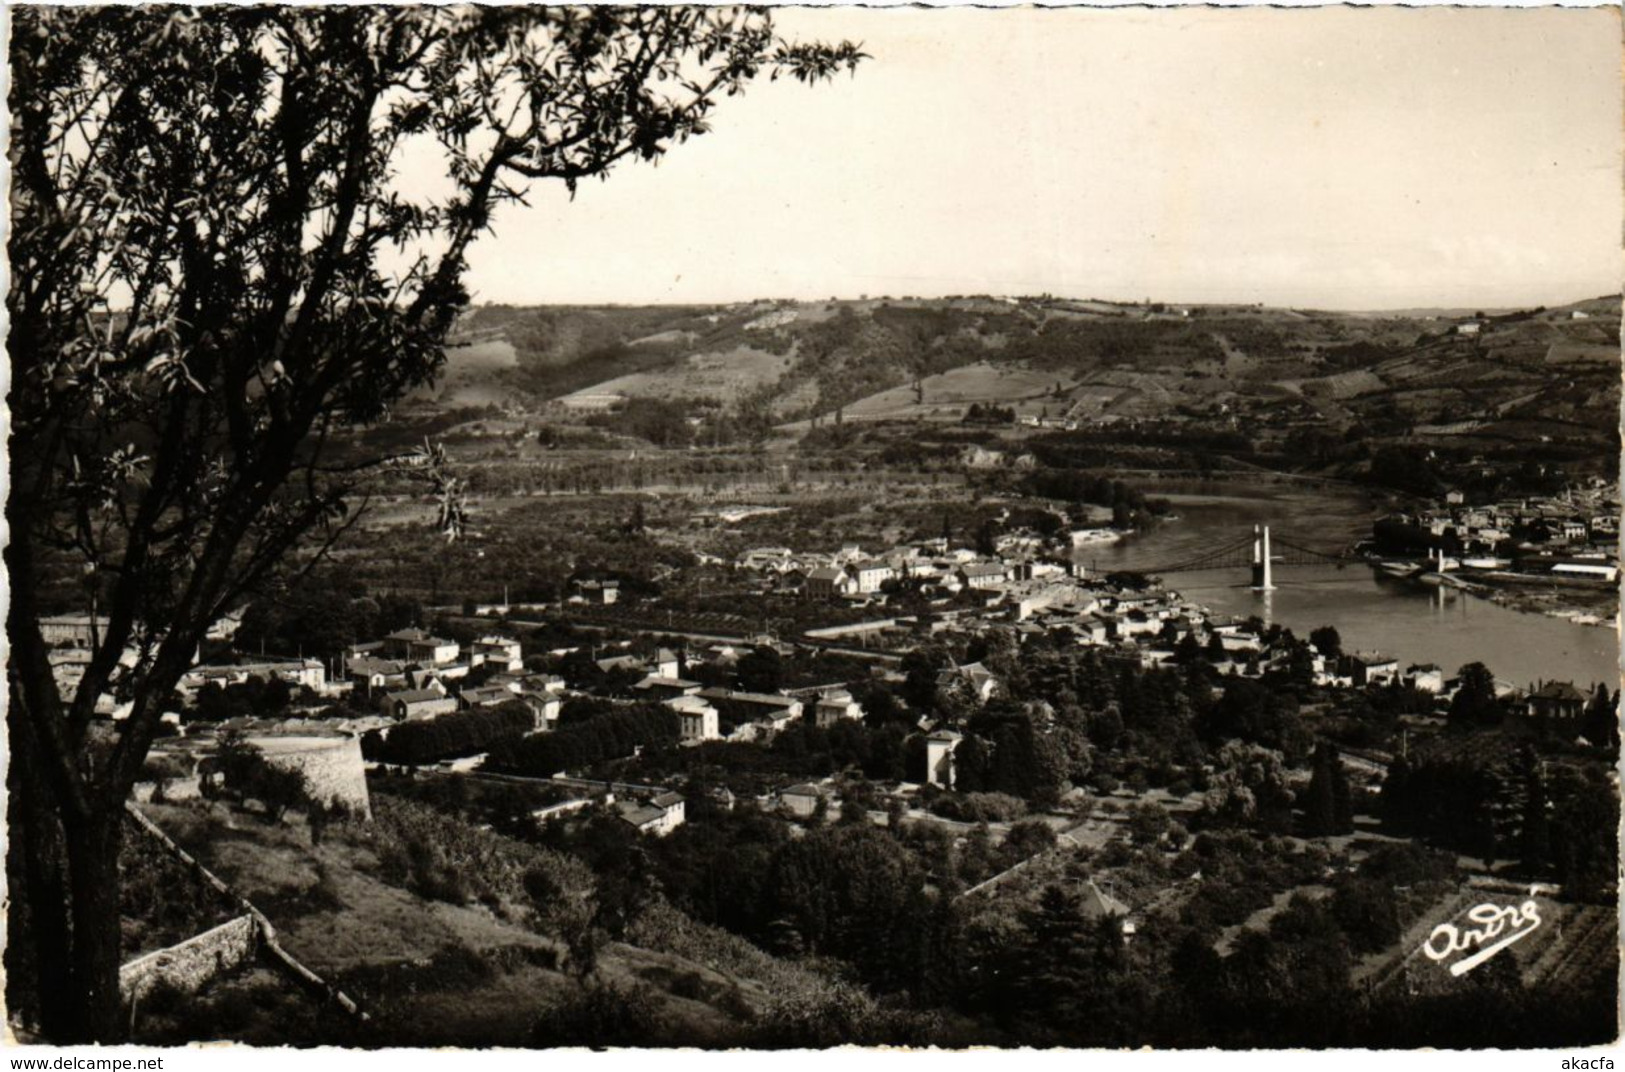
(440, 967)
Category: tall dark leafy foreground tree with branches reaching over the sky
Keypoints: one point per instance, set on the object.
(204, 207)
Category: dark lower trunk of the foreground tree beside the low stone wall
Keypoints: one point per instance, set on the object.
(95, 888)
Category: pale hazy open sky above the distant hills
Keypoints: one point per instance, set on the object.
(1324, 158)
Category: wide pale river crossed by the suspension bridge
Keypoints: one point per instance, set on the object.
(1406, 620)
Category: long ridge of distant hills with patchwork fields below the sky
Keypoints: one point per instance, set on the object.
(1514, 400)
